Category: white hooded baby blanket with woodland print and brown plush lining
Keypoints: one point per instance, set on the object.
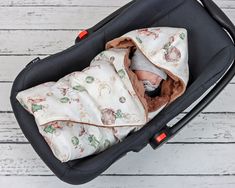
(87, 111)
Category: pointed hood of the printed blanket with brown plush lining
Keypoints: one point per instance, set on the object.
(166, 48)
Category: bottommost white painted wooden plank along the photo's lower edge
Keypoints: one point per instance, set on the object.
(126, 182)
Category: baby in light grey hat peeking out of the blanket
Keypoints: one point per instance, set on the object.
(149, 74)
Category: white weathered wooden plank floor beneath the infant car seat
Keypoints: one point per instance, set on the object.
(201, 156)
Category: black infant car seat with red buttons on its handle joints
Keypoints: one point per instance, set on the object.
(211, 56)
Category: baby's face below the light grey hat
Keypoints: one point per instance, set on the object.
(145, 75)
